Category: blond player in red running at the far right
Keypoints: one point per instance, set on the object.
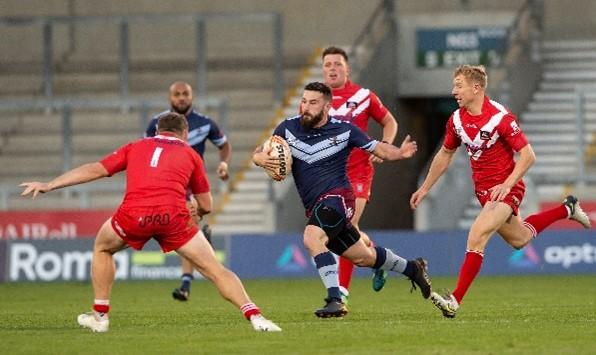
(491, 135)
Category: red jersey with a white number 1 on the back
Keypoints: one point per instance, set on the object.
(158, 170)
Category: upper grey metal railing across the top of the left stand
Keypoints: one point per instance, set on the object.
(48, 23)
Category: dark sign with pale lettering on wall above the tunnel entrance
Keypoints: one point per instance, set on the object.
(451, 47)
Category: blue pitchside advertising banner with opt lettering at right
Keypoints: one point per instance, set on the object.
(559, 251)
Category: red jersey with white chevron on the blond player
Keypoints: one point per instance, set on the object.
(490, 138)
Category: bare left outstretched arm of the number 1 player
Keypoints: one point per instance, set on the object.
(82, 174)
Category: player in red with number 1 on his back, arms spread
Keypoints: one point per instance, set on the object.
(158, 170)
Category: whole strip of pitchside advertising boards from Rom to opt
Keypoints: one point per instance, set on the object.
(284, 256)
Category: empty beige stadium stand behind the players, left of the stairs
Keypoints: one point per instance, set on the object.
(86, 67)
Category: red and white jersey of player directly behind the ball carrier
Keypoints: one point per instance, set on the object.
(356, 105)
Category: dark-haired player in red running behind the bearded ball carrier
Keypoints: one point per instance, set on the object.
(356, 104)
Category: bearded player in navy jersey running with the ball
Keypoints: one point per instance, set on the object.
(320, 146)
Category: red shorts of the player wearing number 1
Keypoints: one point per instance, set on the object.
(171, 226)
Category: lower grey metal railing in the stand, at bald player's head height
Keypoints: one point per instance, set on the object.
(66, 107)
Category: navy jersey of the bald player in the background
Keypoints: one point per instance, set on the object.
(200, 128)
